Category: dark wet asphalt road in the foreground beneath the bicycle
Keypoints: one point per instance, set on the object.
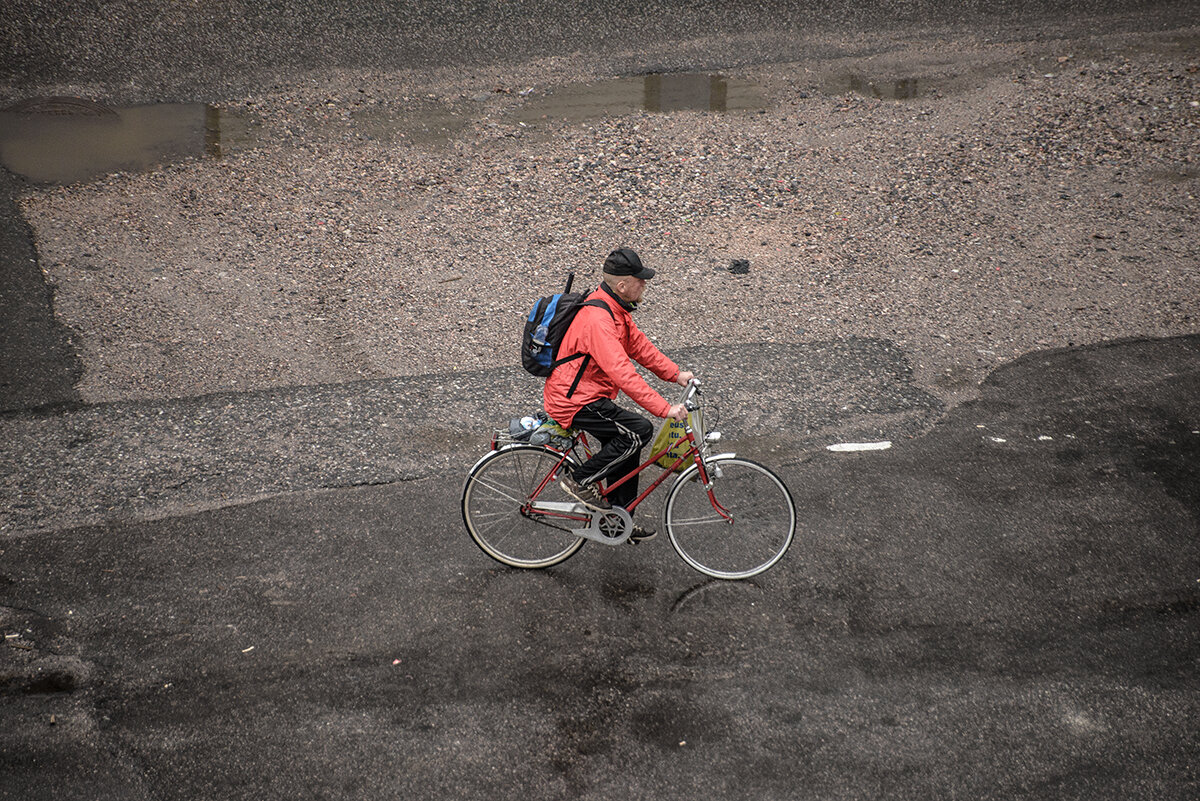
(1005, 607)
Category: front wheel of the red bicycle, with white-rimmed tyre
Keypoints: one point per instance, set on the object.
(745, 533)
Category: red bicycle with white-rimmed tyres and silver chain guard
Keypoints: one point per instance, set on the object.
(728, 517)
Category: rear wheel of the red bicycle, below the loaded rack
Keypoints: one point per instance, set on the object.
(495, 509)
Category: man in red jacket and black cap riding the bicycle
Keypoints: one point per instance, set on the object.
(584, 396)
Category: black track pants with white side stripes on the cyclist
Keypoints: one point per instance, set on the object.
(622, 436)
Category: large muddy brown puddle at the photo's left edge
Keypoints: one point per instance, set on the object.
(65, 141)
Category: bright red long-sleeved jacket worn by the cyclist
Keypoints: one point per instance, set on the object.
(611, 342)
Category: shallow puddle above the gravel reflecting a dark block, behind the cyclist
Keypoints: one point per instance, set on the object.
(655, 93)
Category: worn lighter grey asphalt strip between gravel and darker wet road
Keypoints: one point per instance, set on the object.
(139, 460)
